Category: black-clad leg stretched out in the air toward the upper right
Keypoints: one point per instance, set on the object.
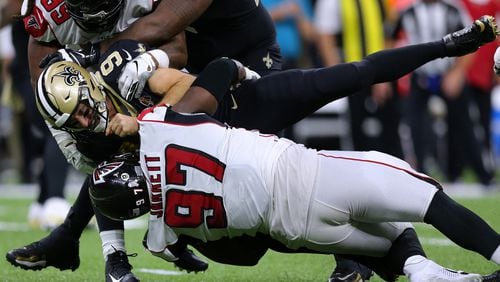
(278, 100)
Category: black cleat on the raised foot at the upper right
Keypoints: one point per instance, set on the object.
(469, 39)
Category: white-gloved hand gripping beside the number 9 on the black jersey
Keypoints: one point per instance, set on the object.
(134, 76)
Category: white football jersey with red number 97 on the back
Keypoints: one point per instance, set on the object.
(207, 180)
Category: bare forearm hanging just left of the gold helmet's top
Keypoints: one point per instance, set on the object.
(36, 52)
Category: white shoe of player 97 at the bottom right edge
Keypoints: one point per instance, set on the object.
(434, 272)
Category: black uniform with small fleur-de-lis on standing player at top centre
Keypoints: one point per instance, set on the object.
(241, 30)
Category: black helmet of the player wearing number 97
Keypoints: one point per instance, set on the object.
(119, 190)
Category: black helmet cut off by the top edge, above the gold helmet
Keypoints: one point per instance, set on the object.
(95, 15)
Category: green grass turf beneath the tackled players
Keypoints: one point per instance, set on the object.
(14, 232)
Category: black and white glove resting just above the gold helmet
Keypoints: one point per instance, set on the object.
(84, 58)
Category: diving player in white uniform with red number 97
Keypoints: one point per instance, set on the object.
(199, 172)
